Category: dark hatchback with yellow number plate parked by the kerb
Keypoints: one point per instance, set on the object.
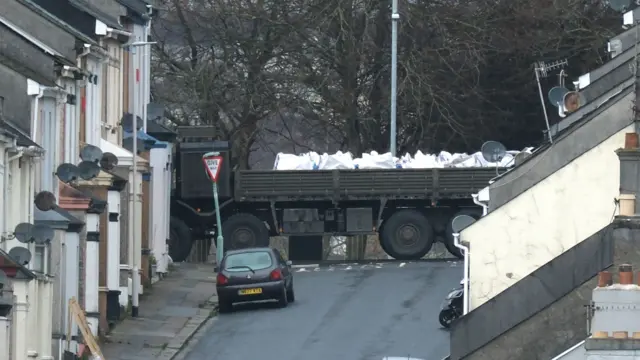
(254, 274)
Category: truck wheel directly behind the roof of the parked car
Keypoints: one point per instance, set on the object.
(243, 230)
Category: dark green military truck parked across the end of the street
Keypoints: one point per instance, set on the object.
(409, 209)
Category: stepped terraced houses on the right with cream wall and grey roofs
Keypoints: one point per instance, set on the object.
(549, 231)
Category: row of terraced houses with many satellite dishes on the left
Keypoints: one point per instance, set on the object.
(65, 69)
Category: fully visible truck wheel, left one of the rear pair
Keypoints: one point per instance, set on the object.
(407, 235)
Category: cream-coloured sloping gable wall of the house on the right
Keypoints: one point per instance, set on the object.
(547, 219)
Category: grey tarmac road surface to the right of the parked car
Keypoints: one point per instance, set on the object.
(342, 312)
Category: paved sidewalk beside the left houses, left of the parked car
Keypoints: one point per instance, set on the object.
(170, 312)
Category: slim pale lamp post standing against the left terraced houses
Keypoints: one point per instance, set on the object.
(134, 129)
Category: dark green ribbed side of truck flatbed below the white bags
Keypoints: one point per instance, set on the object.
(360, 184)
